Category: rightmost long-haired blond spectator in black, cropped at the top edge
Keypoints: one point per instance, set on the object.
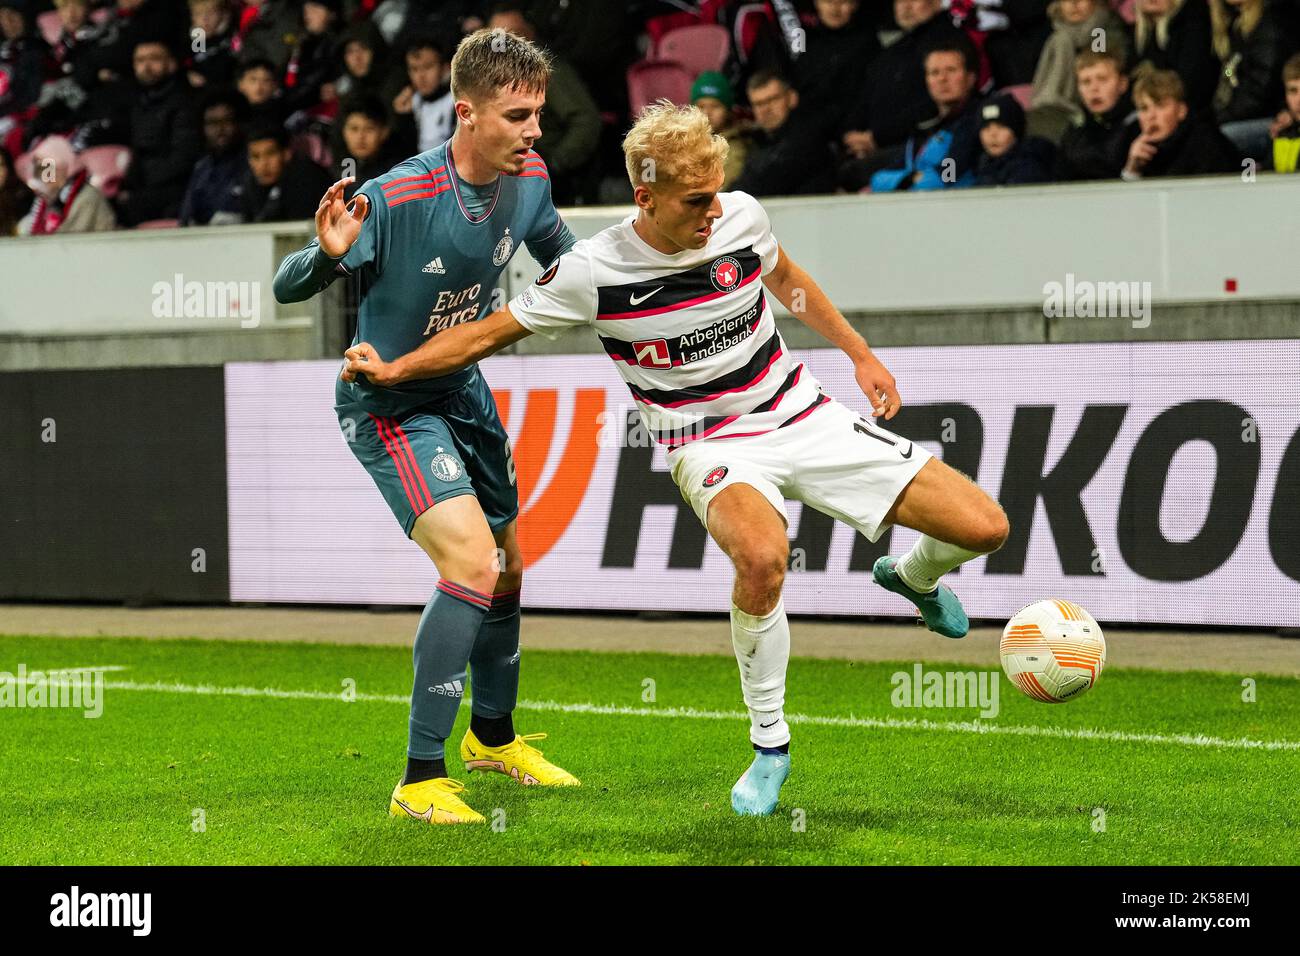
(1251, 47)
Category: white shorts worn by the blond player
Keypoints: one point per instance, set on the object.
(837, 461)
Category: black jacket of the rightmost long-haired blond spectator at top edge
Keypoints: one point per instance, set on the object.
(1250, 85)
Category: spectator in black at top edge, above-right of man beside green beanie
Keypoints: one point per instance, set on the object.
(833, 71)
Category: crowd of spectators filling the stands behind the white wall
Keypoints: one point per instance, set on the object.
(125, 114)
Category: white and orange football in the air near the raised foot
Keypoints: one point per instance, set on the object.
(1054, 651)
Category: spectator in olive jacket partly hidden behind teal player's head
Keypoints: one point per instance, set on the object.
(571, 124)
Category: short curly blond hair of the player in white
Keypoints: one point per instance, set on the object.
(673, 144)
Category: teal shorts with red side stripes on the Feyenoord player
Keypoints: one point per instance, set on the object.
(447, 447)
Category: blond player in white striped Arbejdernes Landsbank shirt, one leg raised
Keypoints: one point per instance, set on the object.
(678, 297)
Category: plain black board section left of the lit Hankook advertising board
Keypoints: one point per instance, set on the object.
(115, 486)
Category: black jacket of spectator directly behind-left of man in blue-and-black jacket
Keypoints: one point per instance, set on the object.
(896, 101)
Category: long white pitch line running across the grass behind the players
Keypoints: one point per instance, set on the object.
(694, 715)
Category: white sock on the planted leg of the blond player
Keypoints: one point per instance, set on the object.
(764, 654)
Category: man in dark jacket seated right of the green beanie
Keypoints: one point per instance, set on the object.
(788, 155)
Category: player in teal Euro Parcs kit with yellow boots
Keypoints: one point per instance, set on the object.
(427, 243)
